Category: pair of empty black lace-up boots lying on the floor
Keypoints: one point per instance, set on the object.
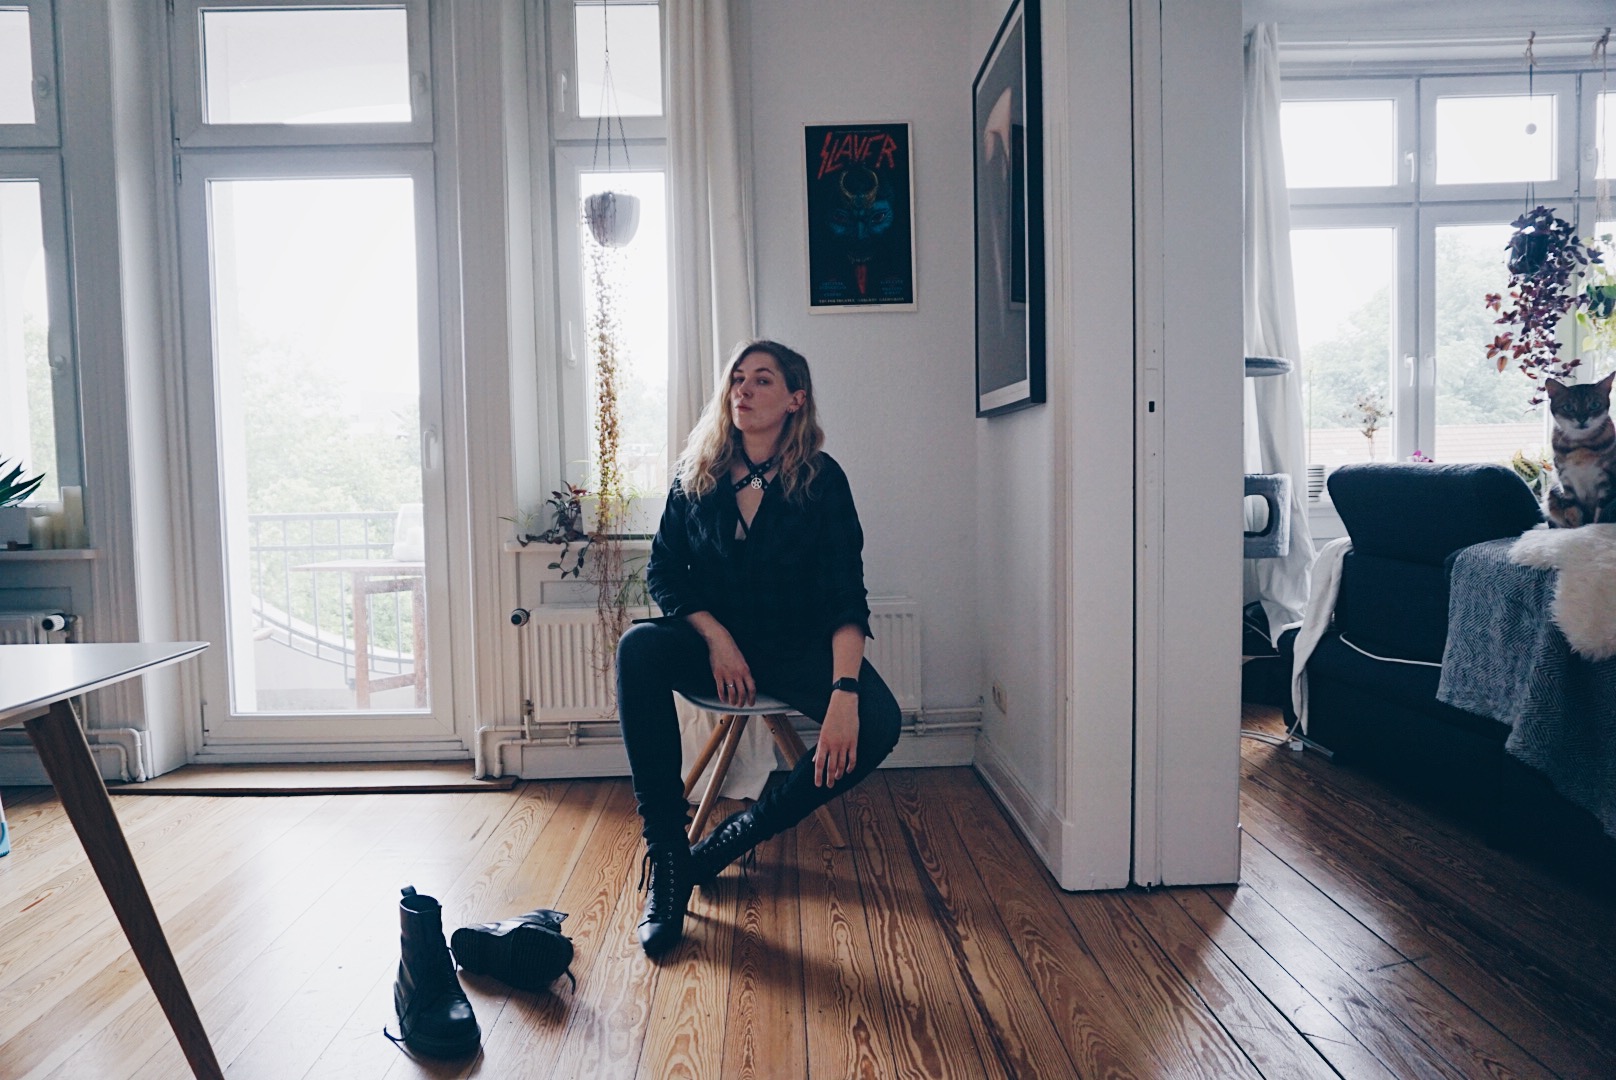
(436, 1018)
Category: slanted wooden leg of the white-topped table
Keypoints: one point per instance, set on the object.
(67, 759)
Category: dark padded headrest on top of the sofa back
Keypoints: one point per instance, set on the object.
(1421, 513)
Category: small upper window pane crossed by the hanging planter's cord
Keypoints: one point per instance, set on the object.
(636, 38)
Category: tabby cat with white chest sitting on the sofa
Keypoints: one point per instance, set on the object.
(1584, 444)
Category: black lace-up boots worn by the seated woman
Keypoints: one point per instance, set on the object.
(673, 871)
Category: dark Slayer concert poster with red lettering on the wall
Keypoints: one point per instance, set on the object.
(861, 217)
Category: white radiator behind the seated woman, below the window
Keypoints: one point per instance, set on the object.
(565, 683)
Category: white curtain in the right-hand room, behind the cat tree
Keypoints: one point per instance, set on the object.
(1274, 405)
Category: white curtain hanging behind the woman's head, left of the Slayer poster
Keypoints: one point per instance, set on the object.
(710, 205)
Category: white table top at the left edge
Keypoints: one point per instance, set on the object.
(33, 677)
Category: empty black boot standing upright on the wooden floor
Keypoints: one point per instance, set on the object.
(436, 1019)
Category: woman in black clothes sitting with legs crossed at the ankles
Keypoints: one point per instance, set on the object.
(757, 567)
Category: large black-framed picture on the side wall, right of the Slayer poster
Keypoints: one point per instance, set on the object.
(1008, 112)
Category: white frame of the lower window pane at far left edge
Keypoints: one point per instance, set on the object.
(46, 171)
